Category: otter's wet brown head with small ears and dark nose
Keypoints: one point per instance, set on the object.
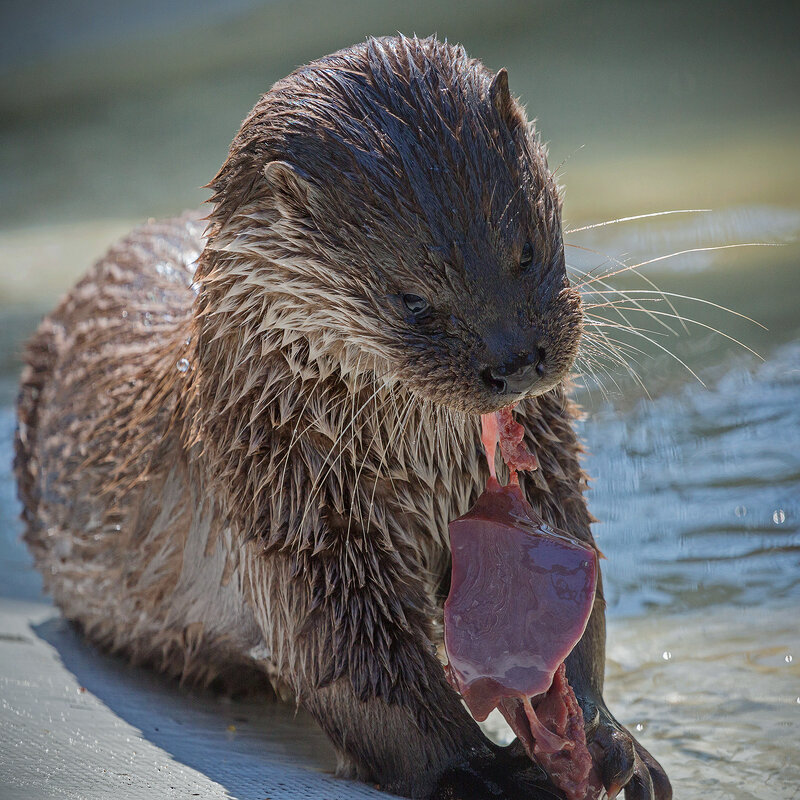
(390, 205)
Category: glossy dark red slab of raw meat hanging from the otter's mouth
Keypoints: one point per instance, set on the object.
(520, 597)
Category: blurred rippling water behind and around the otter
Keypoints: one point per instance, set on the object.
(696, 486)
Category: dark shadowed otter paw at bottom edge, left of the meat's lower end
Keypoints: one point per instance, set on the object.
(506, 774)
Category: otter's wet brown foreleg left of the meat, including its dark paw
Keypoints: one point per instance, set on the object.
(362, 663)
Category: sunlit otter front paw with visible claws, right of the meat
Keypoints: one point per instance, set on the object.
(621, 761)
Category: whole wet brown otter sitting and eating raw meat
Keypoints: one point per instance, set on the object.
(241, 437)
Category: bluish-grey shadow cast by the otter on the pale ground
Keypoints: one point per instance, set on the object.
(253, 748)
